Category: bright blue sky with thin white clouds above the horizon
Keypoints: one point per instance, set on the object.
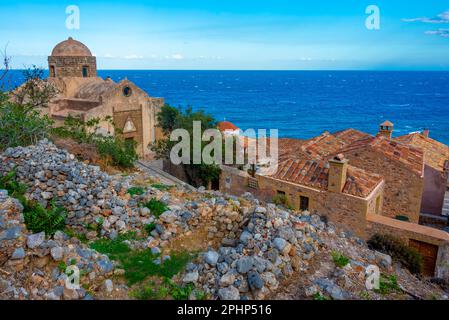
(234, 34)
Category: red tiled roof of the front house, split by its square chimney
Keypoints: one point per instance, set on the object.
(315, 174)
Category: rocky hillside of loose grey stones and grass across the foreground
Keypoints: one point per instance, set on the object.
(132, 237)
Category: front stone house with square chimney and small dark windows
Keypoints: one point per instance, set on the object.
(335, 189)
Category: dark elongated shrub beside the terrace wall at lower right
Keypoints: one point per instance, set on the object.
(392, 246)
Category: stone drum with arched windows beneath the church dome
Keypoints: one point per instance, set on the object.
(73, 66)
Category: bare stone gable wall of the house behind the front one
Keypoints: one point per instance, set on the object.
(403, 188)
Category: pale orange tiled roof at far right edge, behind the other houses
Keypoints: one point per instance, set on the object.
(436, 153)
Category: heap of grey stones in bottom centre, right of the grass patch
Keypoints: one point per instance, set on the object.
(273, 245)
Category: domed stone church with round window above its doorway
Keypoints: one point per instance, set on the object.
(81, 93)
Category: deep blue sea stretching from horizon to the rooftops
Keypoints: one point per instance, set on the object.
(303, 104)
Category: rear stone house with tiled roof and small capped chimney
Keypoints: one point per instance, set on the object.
(400, 164)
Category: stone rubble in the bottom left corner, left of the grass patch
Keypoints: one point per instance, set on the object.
(33, 266)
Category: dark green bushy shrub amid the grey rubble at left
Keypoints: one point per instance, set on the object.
(38, 219)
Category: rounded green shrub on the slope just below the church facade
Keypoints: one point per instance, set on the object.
(122, 153)
